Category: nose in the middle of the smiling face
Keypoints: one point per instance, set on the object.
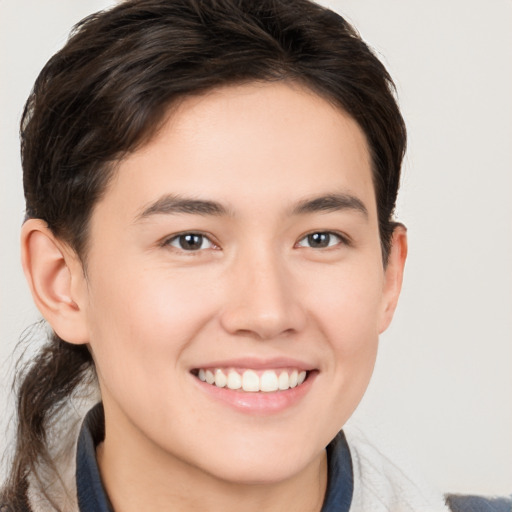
(262, 300)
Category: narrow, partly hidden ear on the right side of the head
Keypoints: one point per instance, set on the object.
(393, 275)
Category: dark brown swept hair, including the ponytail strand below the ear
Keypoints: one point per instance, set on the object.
(107, 92)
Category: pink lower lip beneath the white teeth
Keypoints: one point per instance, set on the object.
(258, 402)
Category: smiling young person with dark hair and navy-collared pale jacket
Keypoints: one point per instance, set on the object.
(210, 191)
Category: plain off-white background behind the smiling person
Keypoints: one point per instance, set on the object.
(442, 389)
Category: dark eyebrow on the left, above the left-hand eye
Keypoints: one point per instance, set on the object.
(171, 204)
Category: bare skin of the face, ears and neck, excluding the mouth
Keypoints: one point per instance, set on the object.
(152, 312)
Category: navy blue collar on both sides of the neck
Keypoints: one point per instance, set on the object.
(93, 498)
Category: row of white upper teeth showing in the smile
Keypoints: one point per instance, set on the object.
(252, 381)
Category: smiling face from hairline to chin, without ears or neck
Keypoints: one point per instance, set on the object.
(235, 288)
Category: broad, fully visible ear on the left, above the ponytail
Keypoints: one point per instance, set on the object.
(56, 279)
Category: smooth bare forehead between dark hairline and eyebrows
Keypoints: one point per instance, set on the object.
(265, 144)
